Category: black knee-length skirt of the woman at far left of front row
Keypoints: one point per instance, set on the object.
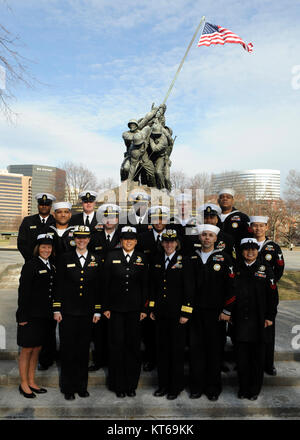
(34, 333)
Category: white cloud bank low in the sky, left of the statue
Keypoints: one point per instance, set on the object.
(47, 138)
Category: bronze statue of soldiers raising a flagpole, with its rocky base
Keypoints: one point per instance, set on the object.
(149, 144)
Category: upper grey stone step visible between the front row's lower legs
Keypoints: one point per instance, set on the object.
(288, 374)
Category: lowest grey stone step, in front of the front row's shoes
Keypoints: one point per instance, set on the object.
(272, 403)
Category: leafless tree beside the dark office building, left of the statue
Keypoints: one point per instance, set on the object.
(78, 178)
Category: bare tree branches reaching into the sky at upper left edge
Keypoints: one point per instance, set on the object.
(13, 70)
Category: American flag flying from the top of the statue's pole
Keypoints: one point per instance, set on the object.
(213, 34)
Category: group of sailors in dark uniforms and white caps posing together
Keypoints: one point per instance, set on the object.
(147, 289)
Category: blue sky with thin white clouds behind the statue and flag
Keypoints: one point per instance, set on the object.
(100, 63)
